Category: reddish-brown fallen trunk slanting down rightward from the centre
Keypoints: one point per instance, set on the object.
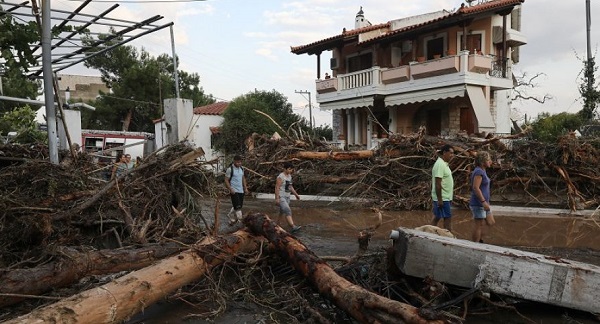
(363, 305)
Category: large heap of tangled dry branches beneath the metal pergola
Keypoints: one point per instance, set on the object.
(43, 205)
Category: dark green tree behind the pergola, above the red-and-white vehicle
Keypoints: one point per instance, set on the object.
(139, 82)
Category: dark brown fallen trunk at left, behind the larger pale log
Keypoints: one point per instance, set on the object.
(76, 265)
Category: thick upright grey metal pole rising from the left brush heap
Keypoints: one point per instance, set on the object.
(48, 82)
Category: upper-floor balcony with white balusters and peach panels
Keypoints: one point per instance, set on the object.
(448, 71)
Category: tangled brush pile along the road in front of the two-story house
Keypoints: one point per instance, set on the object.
(397, 175)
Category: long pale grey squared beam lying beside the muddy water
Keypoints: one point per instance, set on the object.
(501, 270)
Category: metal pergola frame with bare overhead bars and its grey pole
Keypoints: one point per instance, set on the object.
(56, 53)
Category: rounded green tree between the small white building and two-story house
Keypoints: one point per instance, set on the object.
(241, 119)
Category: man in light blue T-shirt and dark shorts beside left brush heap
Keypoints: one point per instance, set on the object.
(235, 181)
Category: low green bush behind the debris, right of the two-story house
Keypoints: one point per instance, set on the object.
(548, 128)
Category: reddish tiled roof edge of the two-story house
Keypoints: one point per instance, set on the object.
(463, 11)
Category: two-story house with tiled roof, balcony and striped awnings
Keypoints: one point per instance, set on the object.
(449, 71)
